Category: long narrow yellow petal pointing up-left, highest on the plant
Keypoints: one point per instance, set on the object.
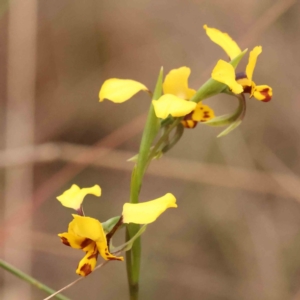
(224, 41)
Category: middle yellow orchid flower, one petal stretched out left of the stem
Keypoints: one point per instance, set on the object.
(174, 102)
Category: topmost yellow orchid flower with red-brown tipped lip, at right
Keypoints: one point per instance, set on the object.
(261, 92)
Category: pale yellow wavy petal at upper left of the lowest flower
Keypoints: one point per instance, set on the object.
(74, 196)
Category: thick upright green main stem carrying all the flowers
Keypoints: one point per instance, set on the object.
(133, 257)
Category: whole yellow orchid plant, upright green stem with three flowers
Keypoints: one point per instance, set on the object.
(174, 107)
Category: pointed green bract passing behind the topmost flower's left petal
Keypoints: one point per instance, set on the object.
(212, 87)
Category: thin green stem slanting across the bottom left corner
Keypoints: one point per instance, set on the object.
(29, 279)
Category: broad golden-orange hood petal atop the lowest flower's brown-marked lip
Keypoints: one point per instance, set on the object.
(87, 227)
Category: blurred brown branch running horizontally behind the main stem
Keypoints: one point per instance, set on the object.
(265, 182)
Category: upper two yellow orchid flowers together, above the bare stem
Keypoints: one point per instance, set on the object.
(180, 101)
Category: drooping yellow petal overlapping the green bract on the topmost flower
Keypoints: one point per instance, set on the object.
(224, 72)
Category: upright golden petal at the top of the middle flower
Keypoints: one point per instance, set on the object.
(176, 83)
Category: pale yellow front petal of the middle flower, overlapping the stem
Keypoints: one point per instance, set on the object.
(171, 105)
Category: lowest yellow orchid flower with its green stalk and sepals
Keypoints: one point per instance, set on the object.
(94, 237)
